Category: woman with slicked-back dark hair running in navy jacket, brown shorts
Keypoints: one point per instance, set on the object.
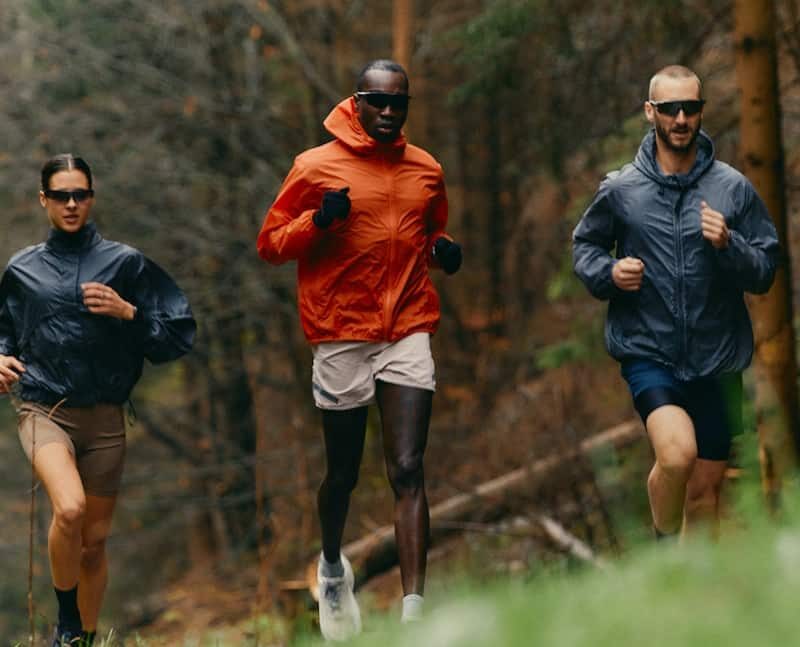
(78, 315)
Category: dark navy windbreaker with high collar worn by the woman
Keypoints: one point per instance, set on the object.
(68, 352)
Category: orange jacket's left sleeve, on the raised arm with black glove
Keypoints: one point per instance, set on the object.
(288, 231)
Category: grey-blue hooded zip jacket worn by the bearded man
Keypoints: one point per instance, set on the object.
(689, 314)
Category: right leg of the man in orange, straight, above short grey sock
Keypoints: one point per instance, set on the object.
(405, 415)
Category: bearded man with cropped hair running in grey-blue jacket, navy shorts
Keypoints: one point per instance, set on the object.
(690, 236)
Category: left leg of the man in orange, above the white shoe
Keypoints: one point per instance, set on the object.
(344, 433)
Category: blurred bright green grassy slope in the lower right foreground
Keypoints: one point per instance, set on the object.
(742, 591)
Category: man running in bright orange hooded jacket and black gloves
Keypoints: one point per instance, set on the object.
(364, 216)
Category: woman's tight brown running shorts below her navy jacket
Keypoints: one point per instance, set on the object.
(94, 435)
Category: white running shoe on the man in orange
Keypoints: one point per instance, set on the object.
(339, 617)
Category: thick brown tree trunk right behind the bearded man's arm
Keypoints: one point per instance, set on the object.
(762, 158)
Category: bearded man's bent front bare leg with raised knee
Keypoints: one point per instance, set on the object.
(672, 435)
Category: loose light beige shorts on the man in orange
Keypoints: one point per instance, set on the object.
(344, 373)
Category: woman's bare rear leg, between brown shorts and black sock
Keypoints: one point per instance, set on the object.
(94, 564)
